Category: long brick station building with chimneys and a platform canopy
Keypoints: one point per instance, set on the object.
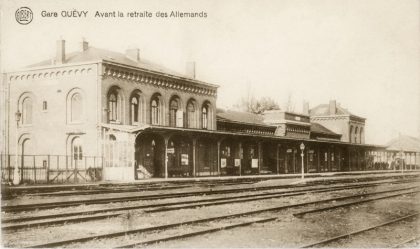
(133, 119)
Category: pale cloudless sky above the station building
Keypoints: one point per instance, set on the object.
(363, 54)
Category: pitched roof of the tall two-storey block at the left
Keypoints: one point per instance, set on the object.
(93, 54)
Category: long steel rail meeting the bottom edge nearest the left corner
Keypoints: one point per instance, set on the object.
(162, 227)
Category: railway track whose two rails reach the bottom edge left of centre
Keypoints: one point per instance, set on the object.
(198, 221)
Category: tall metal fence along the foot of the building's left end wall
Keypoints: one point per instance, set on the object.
(34, 169)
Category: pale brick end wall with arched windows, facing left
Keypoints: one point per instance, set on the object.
(51, 131)
